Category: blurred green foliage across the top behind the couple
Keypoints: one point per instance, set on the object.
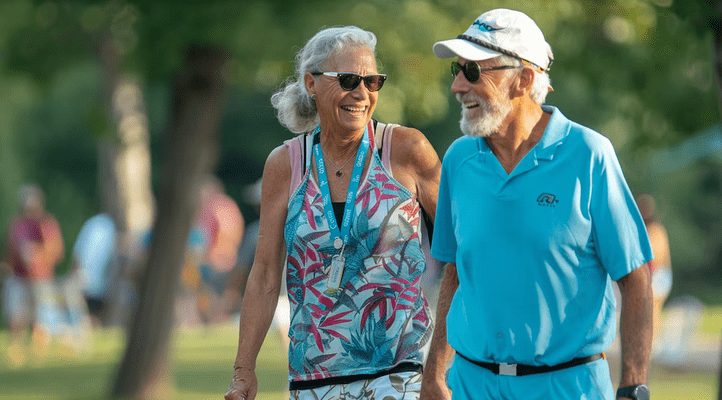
(639, 71)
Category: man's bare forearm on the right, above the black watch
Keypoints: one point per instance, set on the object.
(636, 326)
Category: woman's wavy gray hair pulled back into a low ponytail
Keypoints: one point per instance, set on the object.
(296, 109)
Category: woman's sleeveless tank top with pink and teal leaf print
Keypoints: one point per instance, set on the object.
(379, 317)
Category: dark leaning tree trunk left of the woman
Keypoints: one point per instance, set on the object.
(192, 143)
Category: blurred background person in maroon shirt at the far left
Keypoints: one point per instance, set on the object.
(34, 247)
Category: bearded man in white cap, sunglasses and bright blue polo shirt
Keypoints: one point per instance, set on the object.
(534, 217)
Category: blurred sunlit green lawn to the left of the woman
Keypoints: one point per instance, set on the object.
(203, 365)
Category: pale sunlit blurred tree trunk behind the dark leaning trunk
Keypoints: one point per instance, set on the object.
(124, 173)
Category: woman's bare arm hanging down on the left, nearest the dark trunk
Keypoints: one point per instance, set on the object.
(264, 282)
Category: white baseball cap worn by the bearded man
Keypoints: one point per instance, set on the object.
(498, 32)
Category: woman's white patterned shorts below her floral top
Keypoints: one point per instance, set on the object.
(398, 386)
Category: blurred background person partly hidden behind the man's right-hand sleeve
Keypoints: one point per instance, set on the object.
(660, 267)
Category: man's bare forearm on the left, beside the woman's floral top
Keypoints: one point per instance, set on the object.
(434, 381)
